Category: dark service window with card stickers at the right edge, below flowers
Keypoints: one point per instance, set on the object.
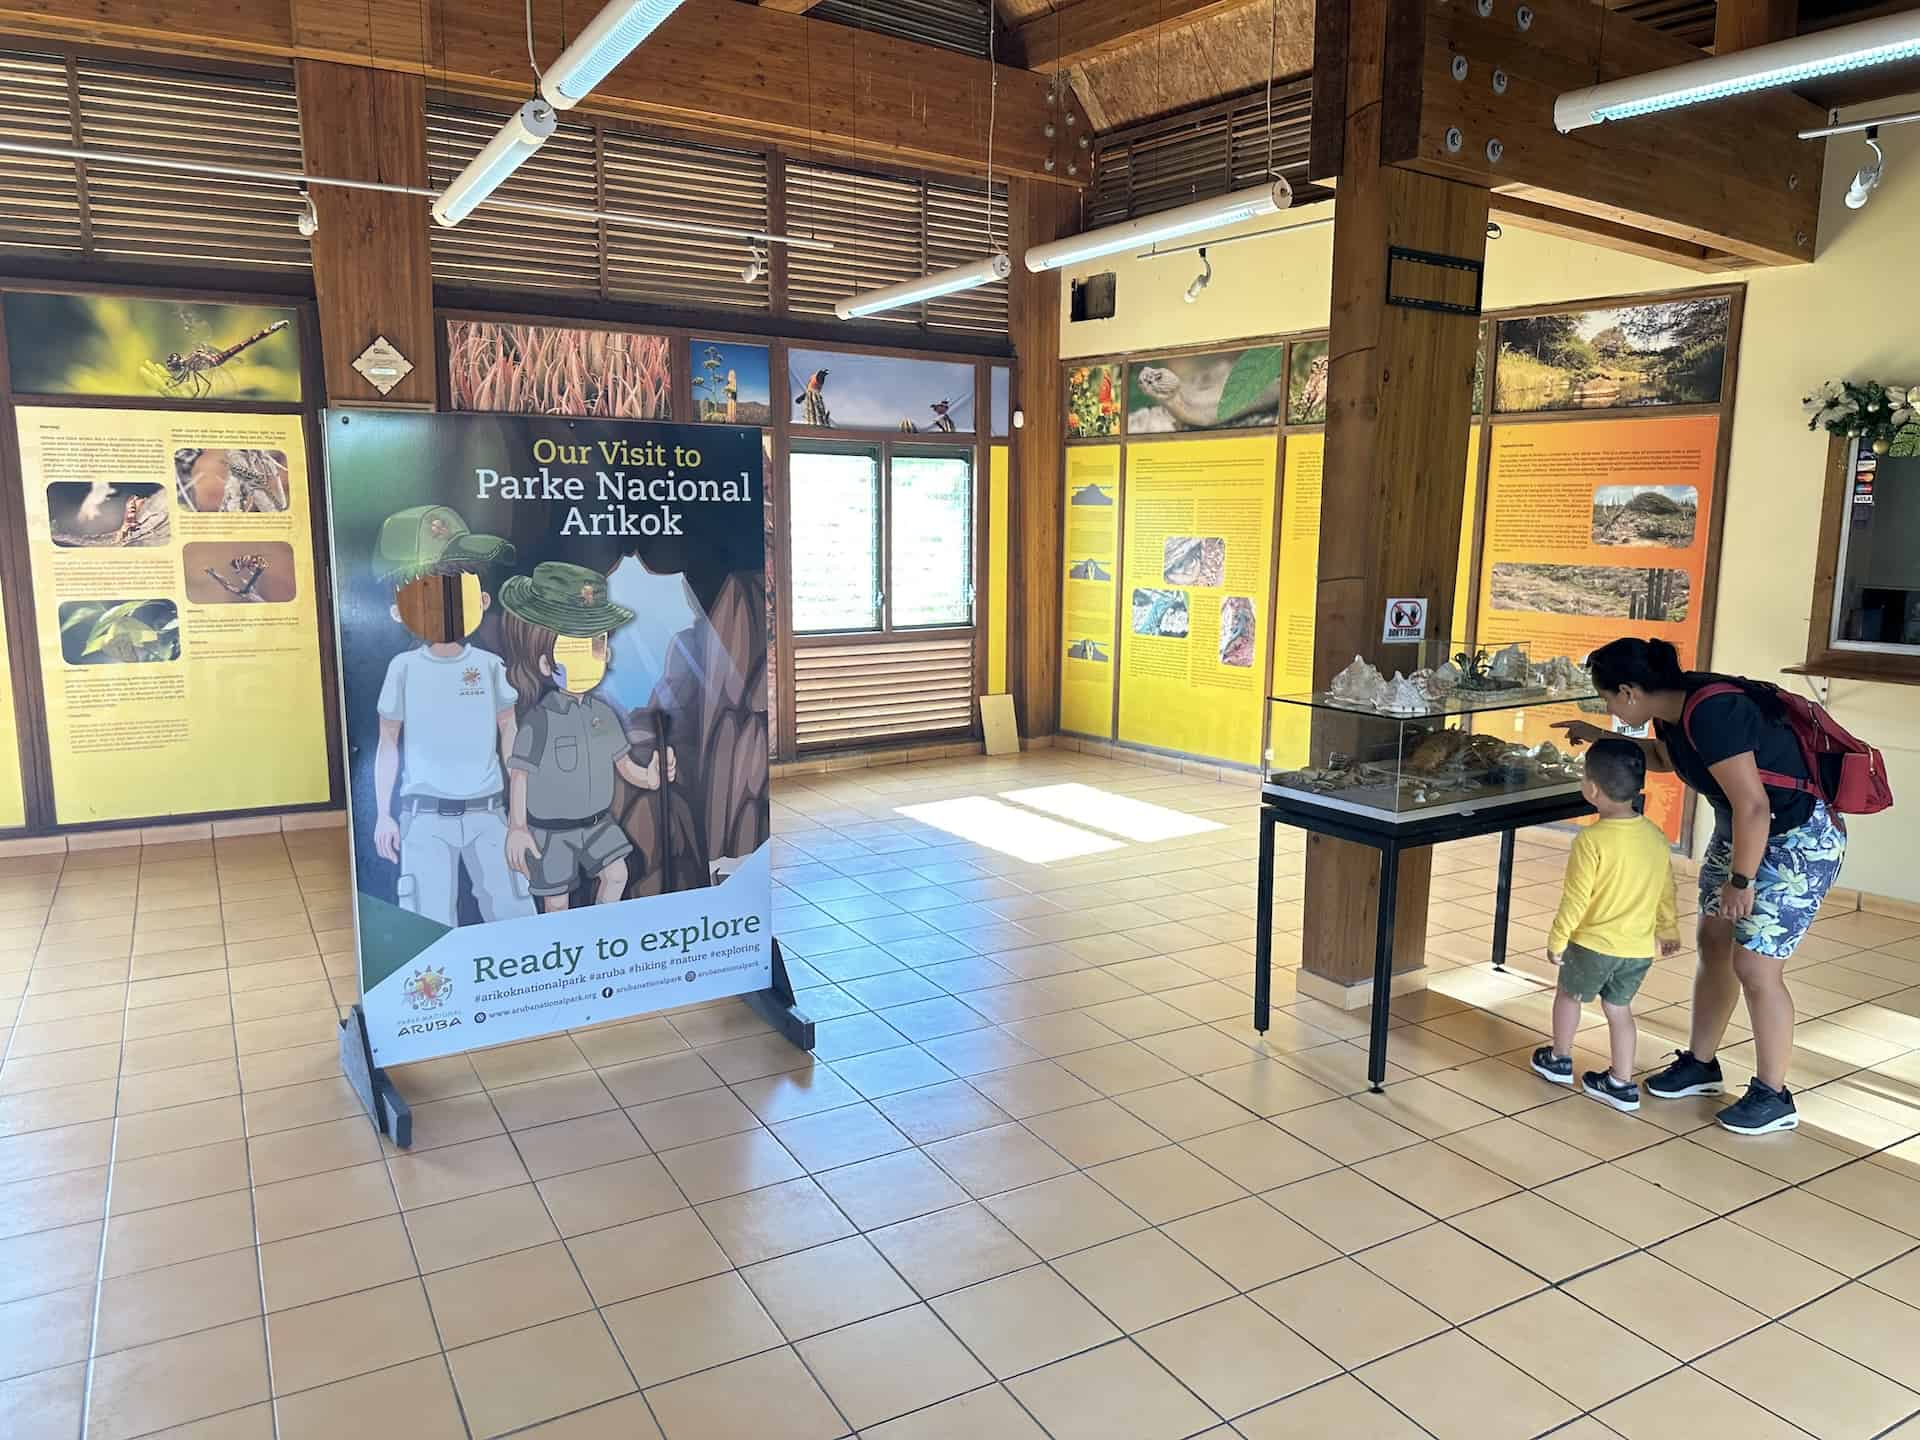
(1877, 594)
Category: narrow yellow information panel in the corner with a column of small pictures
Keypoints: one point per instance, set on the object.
(1088, 596)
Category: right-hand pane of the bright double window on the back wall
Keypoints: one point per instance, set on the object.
(932, 517)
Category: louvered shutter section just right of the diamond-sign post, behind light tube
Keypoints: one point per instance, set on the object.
(510, 251)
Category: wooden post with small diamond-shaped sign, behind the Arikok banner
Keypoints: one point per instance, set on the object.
(372, 262)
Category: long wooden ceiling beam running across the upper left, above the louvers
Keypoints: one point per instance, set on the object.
(717, 68)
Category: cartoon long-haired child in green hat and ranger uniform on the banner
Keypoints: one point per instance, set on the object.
(569, 744)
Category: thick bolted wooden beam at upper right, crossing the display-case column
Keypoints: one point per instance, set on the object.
(1731, 178)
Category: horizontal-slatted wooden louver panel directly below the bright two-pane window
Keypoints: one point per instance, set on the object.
(857, 694)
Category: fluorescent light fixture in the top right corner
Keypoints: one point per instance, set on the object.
(1804, 59)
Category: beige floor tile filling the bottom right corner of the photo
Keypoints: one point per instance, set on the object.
(1810, 1385)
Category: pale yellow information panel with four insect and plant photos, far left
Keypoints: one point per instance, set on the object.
(176, 600)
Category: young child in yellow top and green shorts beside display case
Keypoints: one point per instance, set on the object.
(1618, 901)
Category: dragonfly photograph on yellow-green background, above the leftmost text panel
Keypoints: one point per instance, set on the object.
(114, 347)
